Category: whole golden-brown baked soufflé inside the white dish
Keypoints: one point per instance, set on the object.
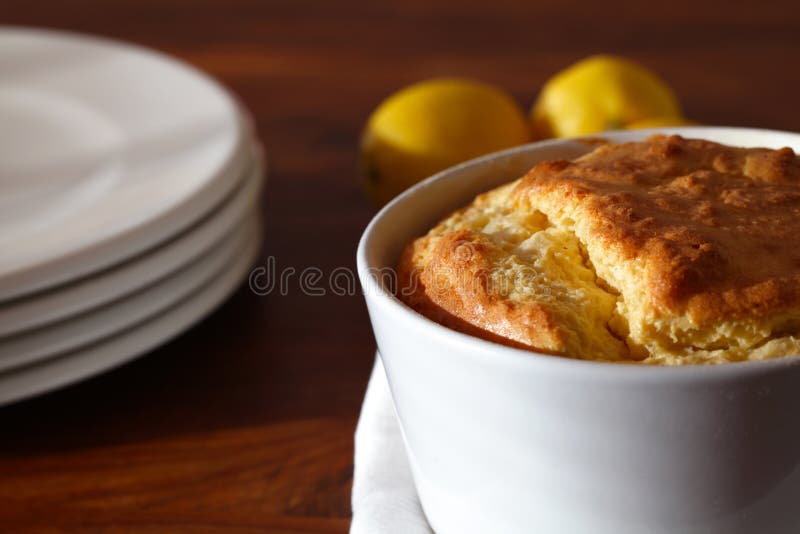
(668, 251)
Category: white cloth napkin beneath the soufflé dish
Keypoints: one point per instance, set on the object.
(384, 497)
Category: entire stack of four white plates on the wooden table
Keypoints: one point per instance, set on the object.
(129, 186)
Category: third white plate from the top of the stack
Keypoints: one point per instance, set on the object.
(117, 316)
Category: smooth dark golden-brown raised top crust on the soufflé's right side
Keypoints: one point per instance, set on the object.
(716, 228)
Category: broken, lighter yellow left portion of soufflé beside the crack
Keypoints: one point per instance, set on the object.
(505, 274)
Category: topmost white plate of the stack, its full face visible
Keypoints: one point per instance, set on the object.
(105, 150)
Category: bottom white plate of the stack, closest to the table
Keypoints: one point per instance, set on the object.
(58, 372)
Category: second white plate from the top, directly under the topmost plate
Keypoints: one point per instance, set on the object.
(61, 302)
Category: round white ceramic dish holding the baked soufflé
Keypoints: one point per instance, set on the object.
(506, 441)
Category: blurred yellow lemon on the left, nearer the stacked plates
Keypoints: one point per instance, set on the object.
(434, 124)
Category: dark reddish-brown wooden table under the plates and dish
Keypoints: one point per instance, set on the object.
(245, 423)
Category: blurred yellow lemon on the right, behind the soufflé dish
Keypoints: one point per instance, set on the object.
(601, 93)
